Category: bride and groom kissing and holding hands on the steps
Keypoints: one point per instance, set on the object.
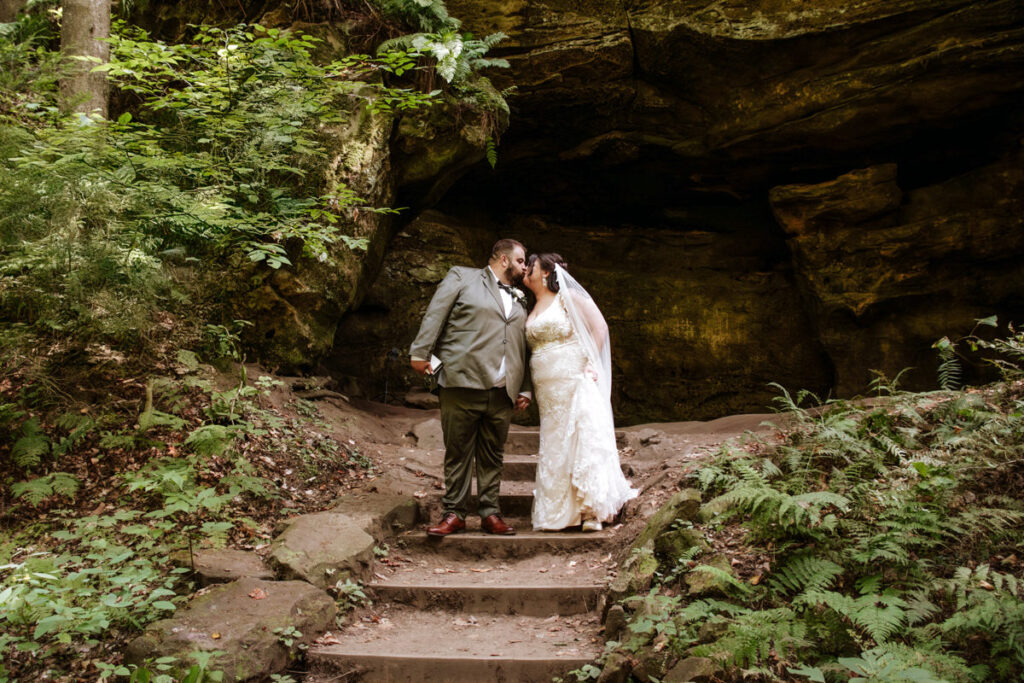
(491, 352)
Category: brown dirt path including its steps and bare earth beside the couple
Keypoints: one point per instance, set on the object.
(479, 608)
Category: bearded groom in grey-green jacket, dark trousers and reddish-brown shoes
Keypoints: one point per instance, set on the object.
(476, 324)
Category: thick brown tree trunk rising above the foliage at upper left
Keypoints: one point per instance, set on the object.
(83, 27)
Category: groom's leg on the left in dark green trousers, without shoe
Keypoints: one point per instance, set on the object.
(461, 413)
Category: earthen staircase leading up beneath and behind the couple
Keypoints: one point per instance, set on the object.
(480, 608)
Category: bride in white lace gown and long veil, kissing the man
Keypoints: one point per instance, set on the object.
(579, 479)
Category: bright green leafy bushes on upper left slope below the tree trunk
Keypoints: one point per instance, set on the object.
(221, 161)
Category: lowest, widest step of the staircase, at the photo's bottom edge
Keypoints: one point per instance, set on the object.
(410, 646)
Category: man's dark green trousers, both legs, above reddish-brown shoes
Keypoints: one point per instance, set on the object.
(476, 423)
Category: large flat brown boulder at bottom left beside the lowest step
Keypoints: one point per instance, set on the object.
(240, 621)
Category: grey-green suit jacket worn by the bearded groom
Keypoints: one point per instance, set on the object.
(466, 328)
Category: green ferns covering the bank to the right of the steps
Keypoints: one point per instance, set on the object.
(878, 524)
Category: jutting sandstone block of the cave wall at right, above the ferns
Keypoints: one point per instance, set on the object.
(889, 272)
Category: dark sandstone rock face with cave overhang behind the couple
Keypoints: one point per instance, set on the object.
(754, 192)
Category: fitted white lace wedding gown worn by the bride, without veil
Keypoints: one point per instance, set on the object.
(578, 468)
